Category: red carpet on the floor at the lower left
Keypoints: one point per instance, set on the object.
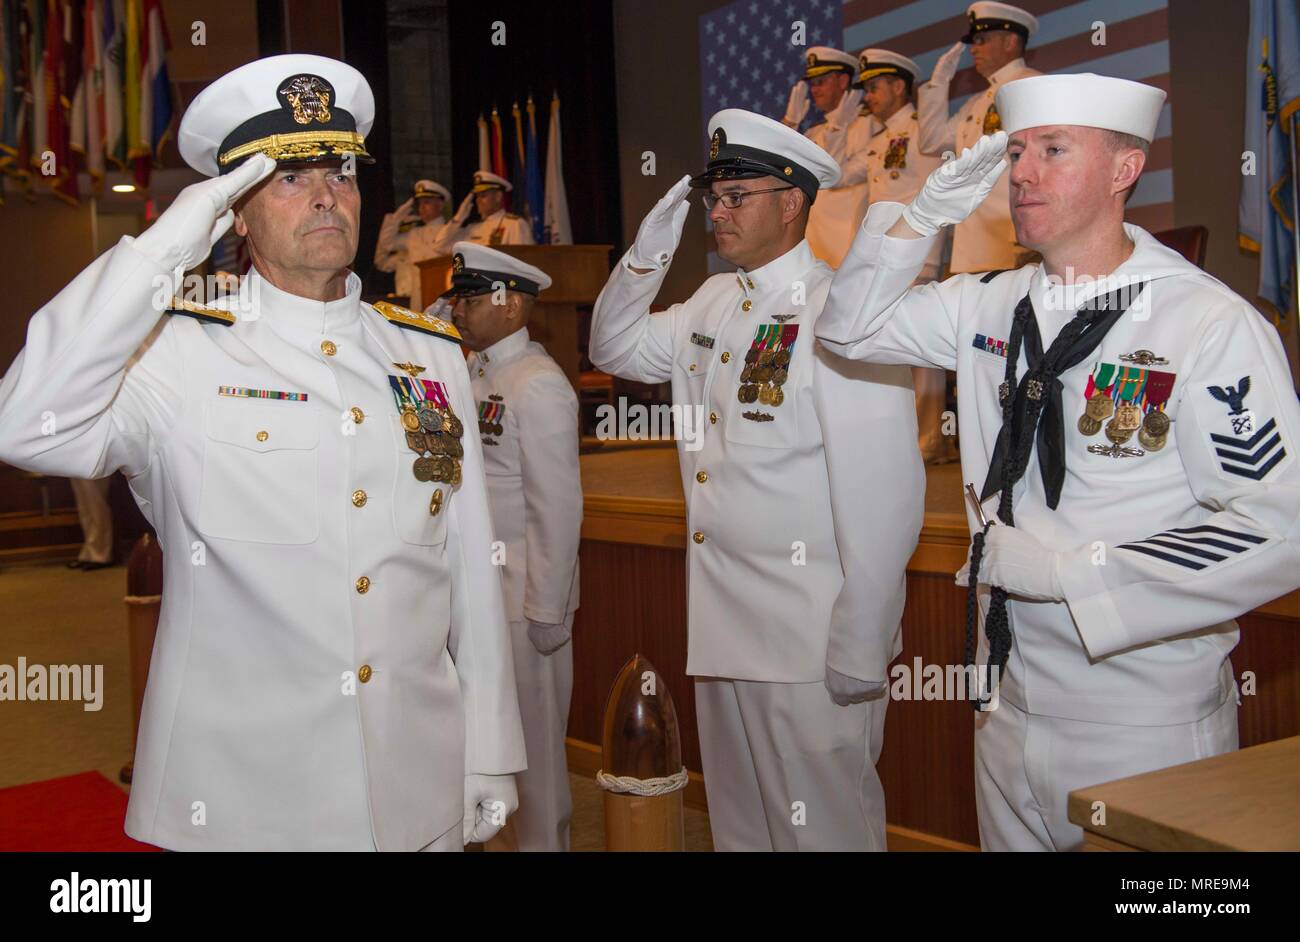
(76, 814)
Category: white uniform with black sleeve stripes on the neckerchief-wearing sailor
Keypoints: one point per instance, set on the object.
(1132, 672)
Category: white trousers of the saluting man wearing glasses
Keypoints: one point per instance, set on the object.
(787, 770)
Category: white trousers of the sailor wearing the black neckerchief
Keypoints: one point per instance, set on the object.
(1026, 766)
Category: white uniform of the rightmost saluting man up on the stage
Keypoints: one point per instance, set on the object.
(986, 241)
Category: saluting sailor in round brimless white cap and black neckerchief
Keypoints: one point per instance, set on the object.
(1138, 423)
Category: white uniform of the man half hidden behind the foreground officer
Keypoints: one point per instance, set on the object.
(535, 492)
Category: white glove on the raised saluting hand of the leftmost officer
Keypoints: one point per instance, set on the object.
(184, 236)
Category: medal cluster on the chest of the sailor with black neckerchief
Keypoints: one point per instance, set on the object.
(1124, 400)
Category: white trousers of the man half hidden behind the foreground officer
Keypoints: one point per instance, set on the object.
(545, 684)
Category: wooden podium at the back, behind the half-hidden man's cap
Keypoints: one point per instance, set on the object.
(578, 275)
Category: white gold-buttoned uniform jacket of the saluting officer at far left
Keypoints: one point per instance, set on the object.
(332, 658)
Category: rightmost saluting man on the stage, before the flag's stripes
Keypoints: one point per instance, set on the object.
(996, 36)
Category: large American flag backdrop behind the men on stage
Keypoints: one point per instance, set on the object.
(748, 59)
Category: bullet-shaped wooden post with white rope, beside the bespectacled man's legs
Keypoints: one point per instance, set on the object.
(642, 741)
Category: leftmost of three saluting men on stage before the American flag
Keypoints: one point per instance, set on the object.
(829, 75)
